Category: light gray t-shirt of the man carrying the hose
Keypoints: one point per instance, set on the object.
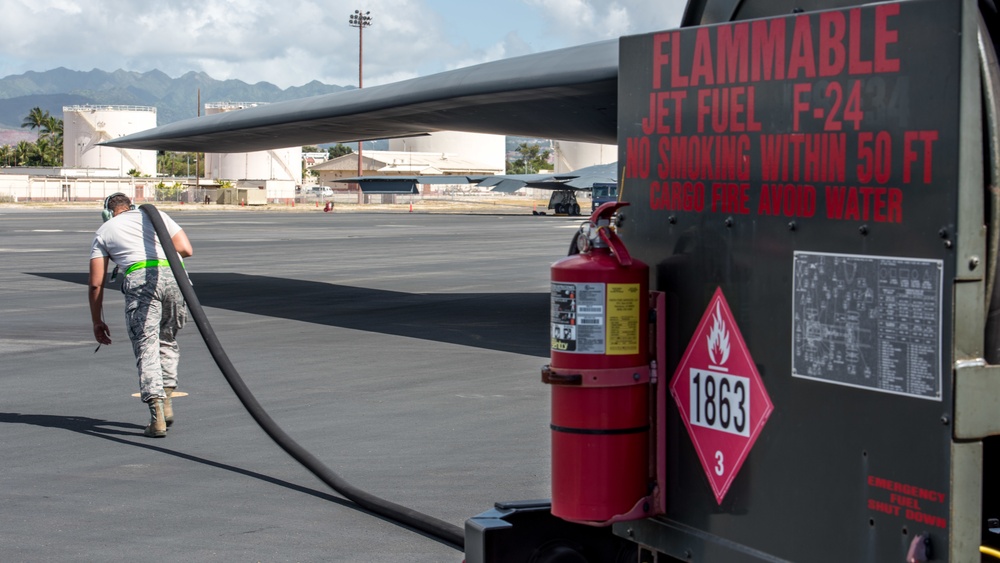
(130, 238)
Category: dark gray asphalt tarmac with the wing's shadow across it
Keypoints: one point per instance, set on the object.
(402, 350)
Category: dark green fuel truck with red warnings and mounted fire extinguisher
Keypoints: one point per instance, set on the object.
(782, 342)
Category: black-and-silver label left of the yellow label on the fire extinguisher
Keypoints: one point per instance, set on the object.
(578, 317)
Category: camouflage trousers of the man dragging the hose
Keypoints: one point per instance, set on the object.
(154, 312)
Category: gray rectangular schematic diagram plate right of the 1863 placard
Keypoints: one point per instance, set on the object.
(871, 322)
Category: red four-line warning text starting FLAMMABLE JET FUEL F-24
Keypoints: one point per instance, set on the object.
(782, 117)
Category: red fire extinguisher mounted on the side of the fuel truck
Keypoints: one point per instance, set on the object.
(600, 376)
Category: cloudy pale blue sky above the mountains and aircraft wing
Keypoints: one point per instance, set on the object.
(292, 42)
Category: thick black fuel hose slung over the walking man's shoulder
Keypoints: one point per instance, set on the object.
(447, 533)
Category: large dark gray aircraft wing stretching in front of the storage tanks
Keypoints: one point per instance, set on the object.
(569, 94)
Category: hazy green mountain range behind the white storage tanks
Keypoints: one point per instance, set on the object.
(173, 98)
